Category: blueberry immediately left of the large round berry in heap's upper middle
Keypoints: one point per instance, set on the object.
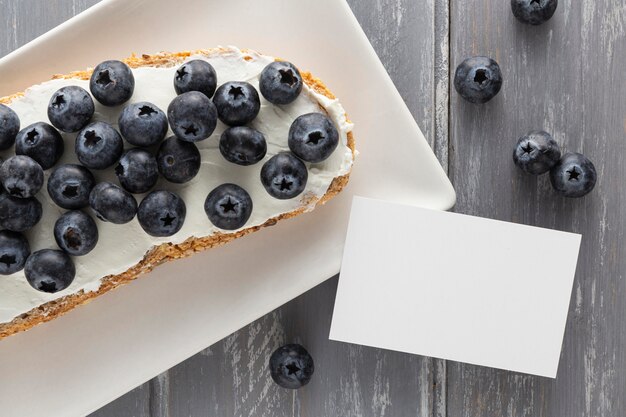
(143, 124)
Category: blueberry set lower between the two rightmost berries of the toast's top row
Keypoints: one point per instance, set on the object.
(237, 103)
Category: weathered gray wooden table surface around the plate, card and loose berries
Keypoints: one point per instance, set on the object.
(568, 77)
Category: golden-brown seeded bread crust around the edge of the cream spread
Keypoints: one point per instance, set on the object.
(165, 252)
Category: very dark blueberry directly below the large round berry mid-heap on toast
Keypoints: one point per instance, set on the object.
(178, 161)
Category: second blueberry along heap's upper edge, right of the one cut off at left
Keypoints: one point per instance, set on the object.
(70, 108)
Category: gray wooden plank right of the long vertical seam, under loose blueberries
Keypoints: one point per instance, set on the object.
(566, 77)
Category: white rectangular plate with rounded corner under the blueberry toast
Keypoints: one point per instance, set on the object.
(102, 350)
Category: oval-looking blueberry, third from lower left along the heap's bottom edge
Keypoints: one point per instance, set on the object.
(112, 204)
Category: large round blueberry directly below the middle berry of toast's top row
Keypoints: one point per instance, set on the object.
(192, 116)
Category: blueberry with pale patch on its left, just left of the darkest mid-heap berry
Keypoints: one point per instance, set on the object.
(137, 171)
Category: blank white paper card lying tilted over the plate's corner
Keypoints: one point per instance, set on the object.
(455, 287)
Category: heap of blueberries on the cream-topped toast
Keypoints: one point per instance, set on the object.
(192, 116)
